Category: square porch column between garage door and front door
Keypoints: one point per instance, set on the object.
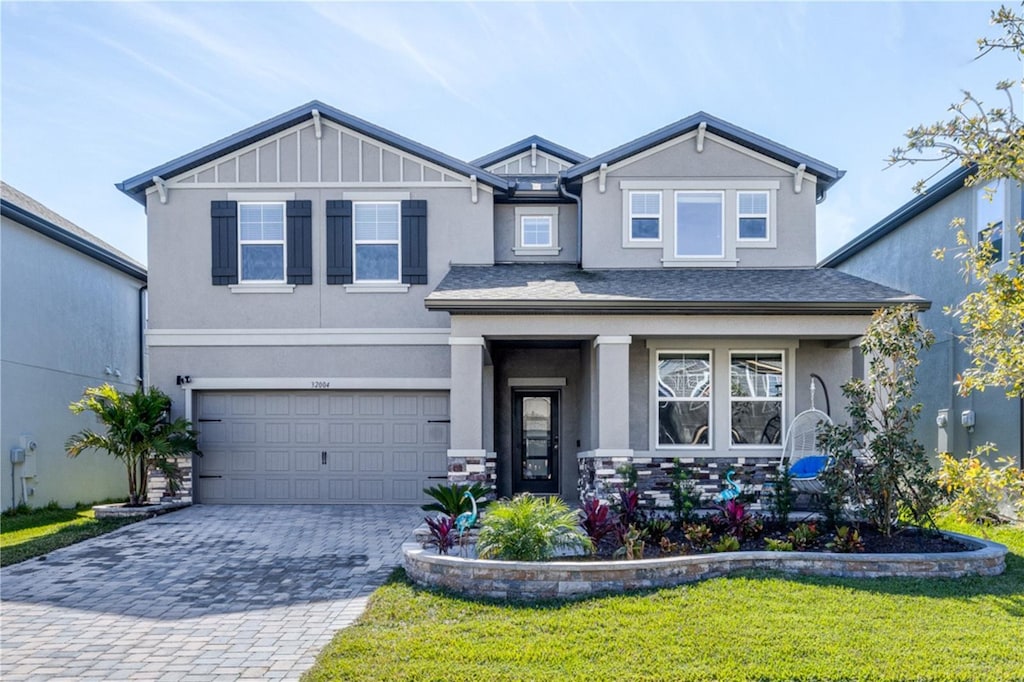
(467, 397)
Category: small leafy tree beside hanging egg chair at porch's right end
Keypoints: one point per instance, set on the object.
(897, 476)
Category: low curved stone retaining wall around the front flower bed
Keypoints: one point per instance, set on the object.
(552, 580)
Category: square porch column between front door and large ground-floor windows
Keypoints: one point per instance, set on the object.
(613, 410)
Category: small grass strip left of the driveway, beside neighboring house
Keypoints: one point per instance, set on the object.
(26, 534)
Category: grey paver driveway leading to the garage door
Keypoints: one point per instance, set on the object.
(206, 593)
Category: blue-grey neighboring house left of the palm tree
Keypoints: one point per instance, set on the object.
(71, 319)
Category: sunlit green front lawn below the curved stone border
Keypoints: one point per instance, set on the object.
(753, 627)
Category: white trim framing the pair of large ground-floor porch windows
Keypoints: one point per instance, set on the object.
(720, 417)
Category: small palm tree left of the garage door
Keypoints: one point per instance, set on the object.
(139, 433)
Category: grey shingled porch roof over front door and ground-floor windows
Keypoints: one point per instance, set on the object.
(567, 289)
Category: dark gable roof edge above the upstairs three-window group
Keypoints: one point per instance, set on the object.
(827, 175)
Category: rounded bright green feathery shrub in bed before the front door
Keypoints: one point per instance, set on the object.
(529, 529)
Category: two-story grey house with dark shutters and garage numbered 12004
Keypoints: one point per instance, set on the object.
(350, 316)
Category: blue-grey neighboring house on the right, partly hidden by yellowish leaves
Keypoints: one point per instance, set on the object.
(898, 251)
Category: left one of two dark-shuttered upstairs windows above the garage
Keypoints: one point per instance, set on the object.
(262, 242)
